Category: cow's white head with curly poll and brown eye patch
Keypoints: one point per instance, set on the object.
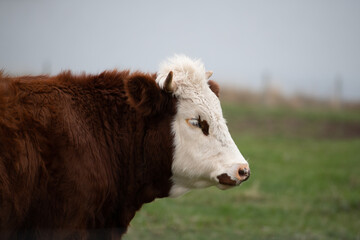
(205, 154)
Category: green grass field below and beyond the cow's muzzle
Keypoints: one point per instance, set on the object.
(305, 182)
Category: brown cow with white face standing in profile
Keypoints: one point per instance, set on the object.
(80, 154)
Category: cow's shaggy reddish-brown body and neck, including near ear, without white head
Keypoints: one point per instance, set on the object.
(79, 155)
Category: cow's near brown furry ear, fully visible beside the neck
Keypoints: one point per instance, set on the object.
(144, 94)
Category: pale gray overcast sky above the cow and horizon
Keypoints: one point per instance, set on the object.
(302, 44)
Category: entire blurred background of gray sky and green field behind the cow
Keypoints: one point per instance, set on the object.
(290, 78)
